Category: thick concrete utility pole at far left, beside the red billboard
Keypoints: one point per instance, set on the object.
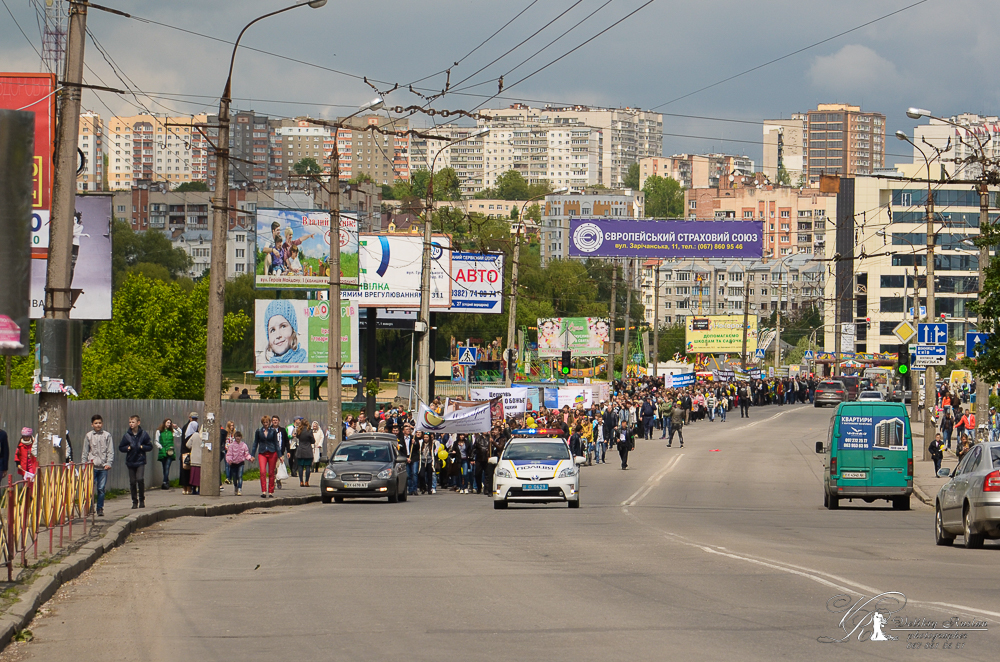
(53, 407)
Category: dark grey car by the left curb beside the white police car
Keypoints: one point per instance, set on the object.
(365, 466)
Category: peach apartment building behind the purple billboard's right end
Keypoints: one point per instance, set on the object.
(795, 220)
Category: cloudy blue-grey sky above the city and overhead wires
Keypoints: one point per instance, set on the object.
(934, 55)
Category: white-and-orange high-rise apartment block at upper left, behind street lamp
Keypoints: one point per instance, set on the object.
(155, 148)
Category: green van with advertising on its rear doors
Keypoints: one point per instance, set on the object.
(868, 454)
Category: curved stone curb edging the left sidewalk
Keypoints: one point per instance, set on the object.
(51, 578)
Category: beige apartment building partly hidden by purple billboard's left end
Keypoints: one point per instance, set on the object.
(559, 210)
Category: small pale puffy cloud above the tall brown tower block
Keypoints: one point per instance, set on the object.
(854, 69)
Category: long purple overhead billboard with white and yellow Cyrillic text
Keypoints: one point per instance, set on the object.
(606, 237)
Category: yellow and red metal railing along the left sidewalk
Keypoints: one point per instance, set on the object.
(56, 497)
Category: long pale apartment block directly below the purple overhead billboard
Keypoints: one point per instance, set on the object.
(716, 287)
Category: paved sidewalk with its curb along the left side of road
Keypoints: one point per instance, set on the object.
(34, 586)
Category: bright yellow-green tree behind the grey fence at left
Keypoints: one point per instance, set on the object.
(154, 346)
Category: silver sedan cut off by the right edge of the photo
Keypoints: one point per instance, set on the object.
(969, 503)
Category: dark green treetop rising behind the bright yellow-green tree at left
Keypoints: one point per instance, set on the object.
(149, 254)
